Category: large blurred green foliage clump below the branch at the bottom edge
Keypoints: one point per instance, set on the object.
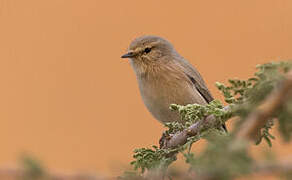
(219, 159)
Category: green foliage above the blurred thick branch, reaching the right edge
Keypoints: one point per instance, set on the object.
(256, 88)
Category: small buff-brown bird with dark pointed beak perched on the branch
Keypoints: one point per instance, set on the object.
(165, 77)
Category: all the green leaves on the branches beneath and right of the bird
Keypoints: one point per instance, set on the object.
(219, 159)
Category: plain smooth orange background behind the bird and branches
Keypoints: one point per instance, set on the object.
(68, 98)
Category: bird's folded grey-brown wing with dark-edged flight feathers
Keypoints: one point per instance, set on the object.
(196, 79)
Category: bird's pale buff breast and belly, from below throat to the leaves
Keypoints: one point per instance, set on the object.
(160, 90)
